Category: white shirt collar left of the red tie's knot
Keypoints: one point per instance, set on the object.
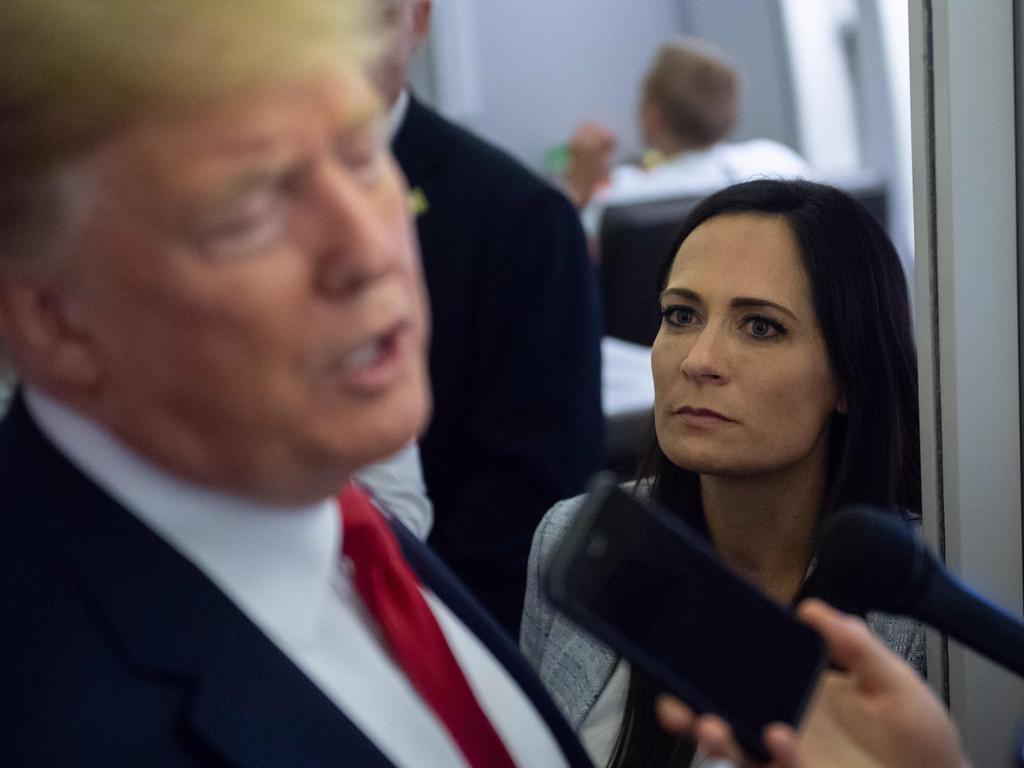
(276, 564)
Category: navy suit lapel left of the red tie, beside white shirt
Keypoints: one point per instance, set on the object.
(249, 703)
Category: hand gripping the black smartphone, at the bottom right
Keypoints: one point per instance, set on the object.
(879, 713)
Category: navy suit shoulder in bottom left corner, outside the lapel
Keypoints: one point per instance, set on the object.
(71, 699)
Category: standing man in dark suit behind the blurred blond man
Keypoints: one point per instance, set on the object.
(516, 357)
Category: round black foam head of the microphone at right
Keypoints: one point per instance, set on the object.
(871, 558)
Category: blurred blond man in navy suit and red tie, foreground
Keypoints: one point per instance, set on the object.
(211, 294)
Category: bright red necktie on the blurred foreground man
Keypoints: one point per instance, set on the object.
(392, 593)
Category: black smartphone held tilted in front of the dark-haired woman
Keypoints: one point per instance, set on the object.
(649, 586)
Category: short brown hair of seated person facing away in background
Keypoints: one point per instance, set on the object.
(696, 90)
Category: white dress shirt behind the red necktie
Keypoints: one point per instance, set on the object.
(282, 568)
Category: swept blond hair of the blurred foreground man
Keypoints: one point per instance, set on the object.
(73, 71)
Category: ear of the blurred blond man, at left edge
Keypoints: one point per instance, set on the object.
(41, 344)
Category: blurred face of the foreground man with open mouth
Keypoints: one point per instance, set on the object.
(247, 282)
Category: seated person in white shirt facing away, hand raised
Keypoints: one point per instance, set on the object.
(689, 106)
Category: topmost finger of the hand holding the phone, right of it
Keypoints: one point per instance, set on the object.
(851, 644)
